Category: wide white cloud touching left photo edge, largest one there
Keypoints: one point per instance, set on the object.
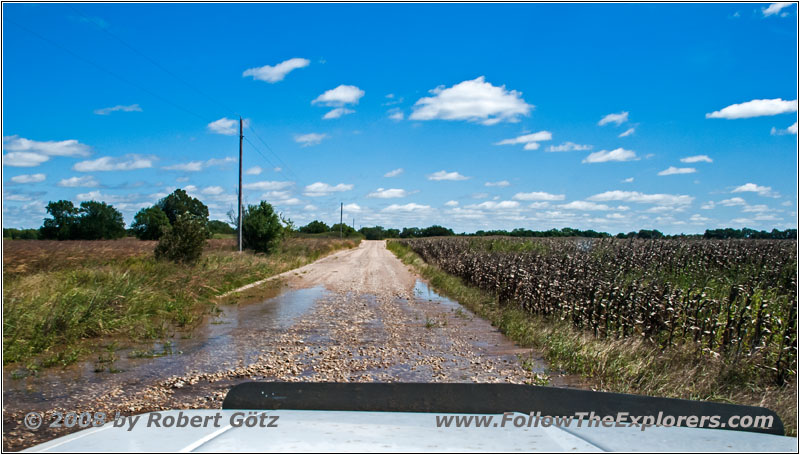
(22, 152)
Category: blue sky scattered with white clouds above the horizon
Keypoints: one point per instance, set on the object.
(614, 117)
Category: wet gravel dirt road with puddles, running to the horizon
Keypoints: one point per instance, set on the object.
(357, 315)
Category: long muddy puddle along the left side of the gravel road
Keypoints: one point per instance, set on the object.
(234, 337)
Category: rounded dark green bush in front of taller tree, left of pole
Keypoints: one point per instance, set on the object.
(184, 241)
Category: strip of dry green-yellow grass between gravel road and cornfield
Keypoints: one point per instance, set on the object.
(618, 365)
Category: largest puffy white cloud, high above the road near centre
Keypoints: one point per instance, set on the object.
(473, 100)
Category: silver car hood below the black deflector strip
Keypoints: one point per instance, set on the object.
(359, 431)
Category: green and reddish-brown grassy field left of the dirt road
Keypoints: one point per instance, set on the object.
(61, 298)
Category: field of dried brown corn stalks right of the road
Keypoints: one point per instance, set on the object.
(735, 298)
